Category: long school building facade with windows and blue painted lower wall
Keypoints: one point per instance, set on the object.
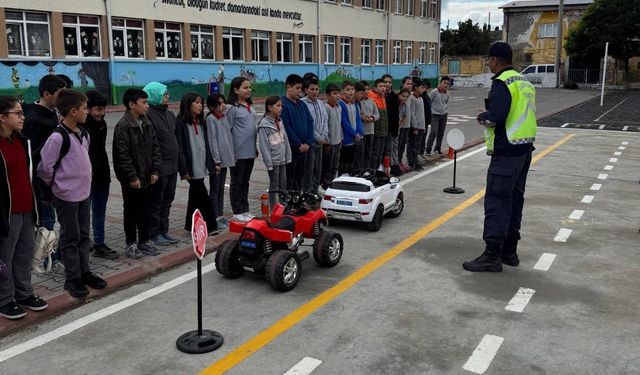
(189, 44)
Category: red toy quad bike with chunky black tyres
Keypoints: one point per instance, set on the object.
(276, 248)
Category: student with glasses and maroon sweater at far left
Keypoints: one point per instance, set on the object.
(17, 214)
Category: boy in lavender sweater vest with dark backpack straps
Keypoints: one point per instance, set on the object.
(69, 178)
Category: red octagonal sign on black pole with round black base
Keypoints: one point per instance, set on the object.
(200, 341)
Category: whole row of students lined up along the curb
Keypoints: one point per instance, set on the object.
(58, 164)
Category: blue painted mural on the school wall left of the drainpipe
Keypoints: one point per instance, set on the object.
(20, 78)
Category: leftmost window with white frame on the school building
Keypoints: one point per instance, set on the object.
(27, 33)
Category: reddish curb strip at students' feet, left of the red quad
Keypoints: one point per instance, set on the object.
(62, 302)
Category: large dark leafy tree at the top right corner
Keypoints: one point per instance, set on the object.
(613, 21)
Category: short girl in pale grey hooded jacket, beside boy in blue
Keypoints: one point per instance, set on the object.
(274, 147)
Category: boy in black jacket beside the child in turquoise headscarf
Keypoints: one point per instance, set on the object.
(136, 163)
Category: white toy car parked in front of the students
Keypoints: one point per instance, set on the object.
(364, 196)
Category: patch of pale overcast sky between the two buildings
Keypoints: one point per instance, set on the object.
(455, 11)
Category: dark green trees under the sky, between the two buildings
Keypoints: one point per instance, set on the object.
(468, 39)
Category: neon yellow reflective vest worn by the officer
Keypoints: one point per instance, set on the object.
(521, 124)
